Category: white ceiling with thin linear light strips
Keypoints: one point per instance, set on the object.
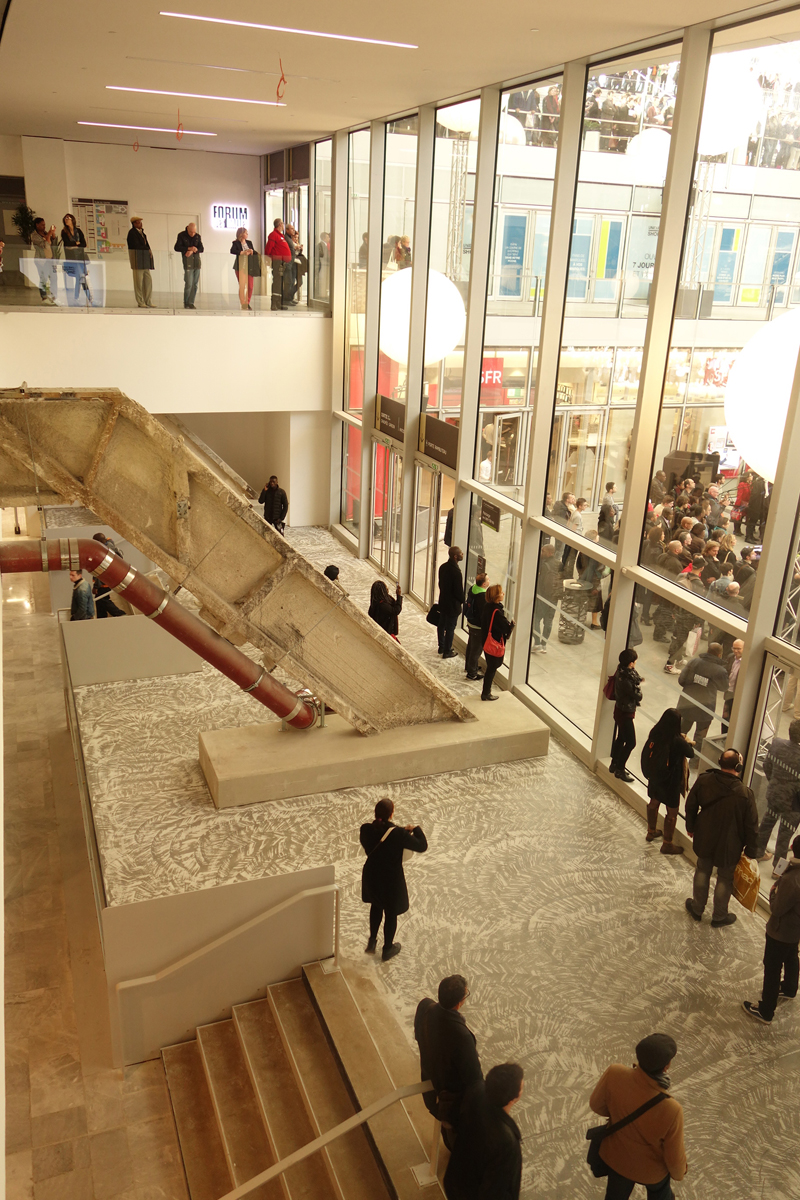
(57, 62)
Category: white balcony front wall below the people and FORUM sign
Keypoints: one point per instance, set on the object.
(176, 364)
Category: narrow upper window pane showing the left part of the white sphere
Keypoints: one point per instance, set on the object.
(398, 256)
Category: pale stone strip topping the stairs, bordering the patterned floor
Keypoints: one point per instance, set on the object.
(400, 1054)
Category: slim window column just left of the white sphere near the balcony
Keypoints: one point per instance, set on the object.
(371, 317)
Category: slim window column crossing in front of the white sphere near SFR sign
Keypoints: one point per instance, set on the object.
(420, 250)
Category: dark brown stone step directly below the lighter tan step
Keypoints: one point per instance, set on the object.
(324, 1094)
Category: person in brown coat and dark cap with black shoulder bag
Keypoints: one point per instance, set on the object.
(649, 1150)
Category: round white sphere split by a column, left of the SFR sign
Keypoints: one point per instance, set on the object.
(446, 320)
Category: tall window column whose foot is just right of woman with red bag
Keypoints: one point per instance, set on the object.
(550, 351)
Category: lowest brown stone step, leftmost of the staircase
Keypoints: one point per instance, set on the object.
(204, 1160)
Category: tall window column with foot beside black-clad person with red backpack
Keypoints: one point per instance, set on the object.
(681, 172)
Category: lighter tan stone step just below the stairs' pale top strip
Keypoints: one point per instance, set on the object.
(394, 1136)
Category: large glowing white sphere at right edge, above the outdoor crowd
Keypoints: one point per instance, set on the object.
(757, 395)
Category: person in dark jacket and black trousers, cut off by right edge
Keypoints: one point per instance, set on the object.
(783, 939)
